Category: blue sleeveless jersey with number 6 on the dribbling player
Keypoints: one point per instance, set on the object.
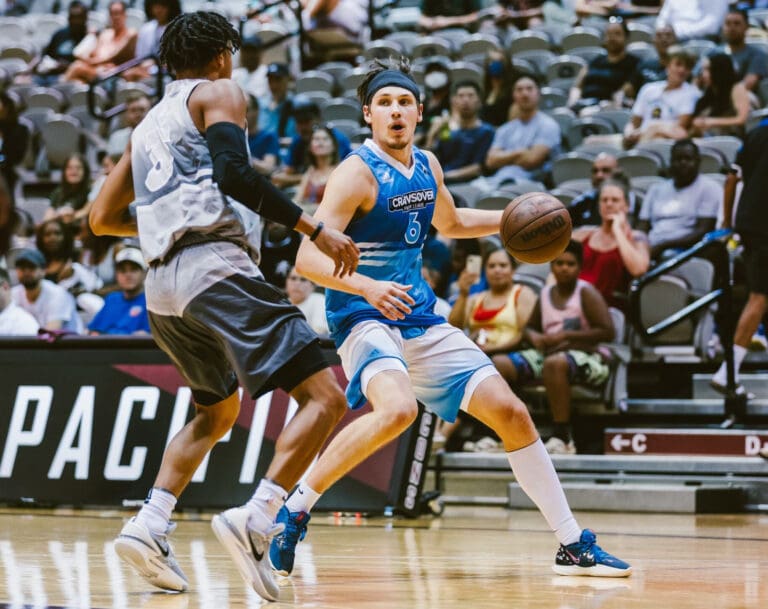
(390, 238)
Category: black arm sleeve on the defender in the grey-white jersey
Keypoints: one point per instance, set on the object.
(237, 179)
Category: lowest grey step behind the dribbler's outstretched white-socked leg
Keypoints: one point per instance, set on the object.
(636, 497)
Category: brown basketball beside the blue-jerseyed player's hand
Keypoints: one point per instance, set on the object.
(535, 227)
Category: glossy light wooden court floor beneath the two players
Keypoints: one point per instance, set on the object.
(470, 558)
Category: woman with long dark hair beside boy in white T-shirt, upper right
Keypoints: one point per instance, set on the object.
(724, 107)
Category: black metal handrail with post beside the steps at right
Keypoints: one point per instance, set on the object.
(714, 247)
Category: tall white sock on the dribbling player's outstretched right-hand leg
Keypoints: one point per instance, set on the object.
(536, 475)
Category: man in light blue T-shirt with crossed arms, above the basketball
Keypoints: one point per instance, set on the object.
(523, 147)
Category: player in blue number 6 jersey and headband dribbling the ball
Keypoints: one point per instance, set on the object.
(393, 348)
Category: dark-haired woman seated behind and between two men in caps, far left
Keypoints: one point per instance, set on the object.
(56, 241)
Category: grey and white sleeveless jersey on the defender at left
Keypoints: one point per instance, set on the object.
(173, 181)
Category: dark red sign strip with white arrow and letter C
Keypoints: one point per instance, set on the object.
(677, 441)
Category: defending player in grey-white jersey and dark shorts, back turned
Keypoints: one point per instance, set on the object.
(209, 307)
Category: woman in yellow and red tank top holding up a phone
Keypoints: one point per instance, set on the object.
(496, 317)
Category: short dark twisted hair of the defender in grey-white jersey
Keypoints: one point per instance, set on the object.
(192, 40)
